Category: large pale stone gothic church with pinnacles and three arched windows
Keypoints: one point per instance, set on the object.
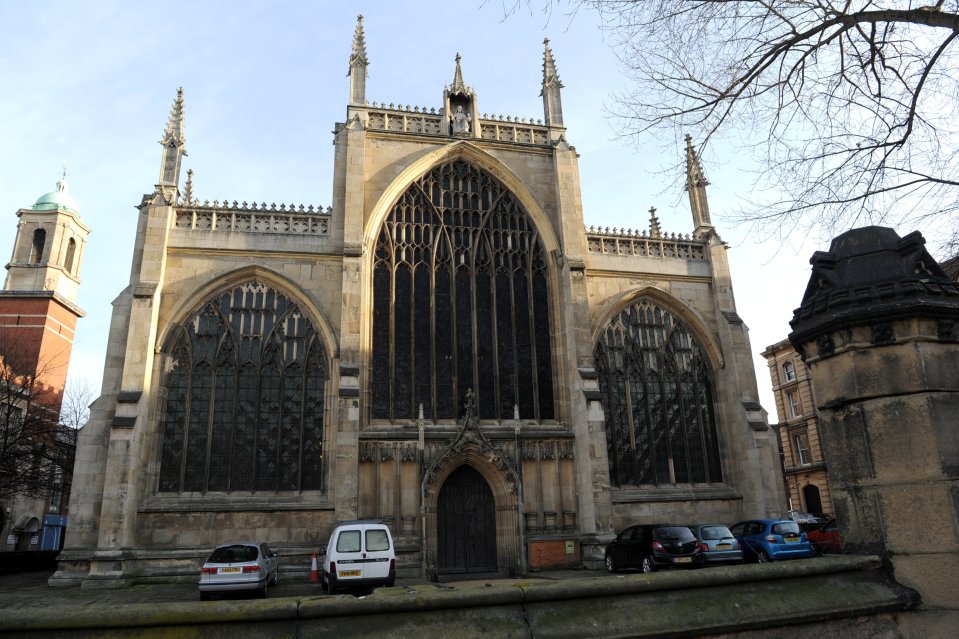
(446, 348)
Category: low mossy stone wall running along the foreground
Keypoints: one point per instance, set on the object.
(852, 597)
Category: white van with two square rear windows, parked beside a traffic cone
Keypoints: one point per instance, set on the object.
(360, 553)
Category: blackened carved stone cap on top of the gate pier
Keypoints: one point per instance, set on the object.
(872, 275)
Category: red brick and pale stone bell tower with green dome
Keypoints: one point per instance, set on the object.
(38, 311)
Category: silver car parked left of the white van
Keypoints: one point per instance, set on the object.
(241, 566)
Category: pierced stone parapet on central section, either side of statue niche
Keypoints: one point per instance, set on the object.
(420, 120)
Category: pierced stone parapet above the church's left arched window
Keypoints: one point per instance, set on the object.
(253, 218)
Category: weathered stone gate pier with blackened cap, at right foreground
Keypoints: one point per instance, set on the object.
(879, 330)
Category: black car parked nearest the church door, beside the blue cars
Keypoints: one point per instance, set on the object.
(653, 546)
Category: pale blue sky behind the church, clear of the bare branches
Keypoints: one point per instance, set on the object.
(91, 84)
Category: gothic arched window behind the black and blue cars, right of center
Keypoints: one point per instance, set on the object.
(656, 386)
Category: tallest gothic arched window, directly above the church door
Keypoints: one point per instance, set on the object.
(460, 301)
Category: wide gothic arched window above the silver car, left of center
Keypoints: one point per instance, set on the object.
(244, 397)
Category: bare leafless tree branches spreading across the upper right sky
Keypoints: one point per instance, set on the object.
(850, 104)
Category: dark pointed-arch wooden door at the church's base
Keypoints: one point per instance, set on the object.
(465, 524)
